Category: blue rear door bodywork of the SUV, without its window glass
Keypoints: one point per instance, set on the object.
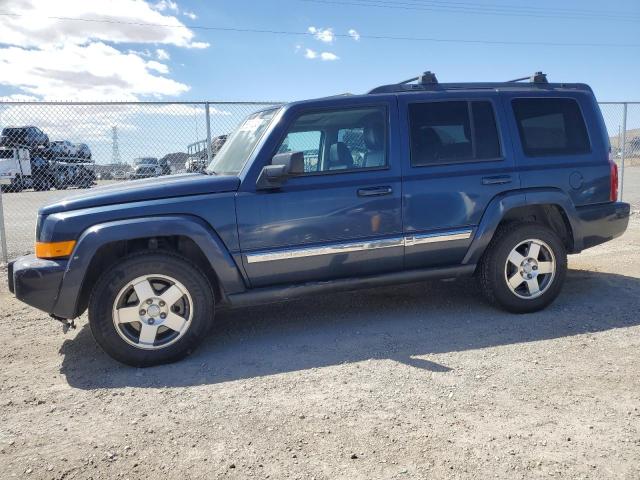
(449, 200)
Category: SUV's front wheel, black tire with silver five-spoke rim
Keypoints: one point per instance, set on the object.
(115, 309)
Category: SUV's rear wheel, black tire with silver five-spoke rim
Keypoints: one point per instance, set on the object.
(508, 275)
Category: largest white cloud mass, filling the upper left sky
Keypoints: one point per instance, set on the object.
(77, 60)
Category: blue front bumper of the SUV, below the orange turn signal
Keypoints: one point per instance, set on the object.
(36, 281)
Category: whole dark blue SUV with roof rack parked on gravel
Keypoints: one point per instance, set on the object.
(497, 180)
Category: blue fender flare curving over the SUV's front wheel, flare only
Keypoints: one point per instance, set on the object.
(102, 234)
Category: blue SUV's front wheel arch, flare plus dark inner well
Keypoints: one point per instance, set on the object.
(102, 245)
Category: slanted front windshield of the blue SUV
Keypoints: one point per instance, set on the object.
(238, 147)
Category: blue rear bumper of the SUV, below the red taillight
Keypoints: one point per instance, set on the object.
(603, 222)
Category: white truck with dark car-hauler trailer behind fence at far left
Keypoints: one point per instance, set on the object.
(20, 170)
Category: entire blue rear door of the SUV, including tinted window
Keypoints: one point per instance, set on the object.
(456, 158)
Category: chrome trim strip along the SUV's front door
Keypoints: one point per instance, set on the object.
(333, 249)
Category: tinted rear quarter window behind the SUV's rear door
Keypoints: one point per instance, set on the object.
(550, 126)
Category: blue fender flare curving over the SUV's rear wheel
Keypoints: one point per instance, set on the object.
(502, 204)
